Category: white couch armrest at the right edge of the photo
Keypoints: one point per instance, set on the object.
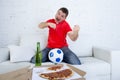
(111, 56)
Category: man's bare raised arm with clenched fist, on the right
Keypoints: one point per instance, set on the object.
(73, 35)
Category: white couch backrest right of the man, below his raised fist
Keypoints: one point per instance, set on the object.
(80, 47)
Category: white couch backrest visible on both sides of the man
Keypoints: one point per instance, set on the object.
(78, 47)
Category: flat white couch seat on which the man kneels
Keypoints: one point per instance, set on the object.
(92, 66)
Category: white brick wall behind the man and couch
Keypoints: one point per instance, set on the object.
(99, 20)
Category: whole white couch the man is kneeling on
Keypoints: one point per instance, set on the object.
(99, 63)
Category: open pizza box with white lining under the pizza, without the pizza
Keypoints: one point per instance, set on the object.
(77, 73)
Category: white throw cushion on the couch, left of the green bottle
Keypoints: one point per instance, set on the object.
(20, 53)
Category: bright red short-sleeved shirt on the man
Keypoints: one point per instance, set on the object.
(57, 36)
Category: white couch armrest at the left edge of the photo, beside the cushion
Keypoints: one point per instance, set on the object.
(4, 54)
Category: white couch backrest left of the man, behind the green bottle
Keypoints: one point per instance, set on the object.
(32, 39)
